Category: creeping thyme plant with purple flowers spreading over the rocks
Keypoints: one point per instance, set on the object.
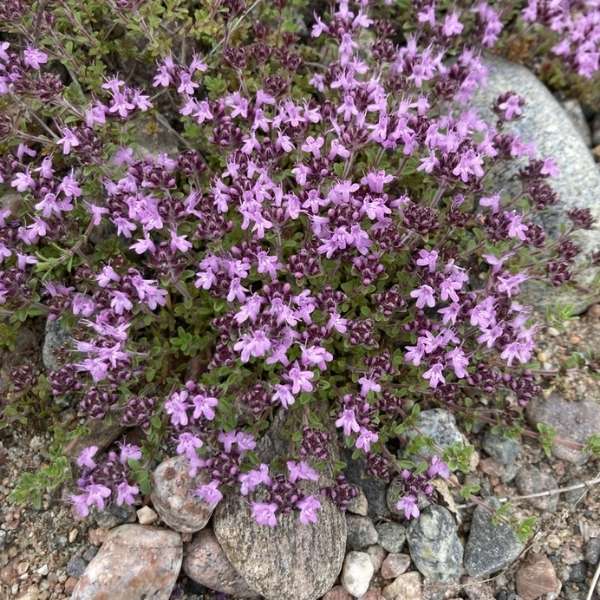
(327, 242)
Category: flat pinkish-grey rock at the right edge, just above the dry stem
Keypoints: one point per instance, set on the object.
(573, 421)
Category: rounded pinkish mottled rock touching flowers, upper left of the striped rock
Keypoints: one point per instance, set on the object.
(174, 499)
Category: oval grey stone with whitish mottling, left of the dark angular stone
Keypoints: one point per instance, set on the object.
(434, 545)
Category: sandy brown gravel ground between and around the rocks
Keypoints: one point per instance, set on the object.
(42, 553)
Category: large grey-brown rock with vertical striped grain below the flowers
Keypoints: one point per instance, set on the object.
(292, 561)
